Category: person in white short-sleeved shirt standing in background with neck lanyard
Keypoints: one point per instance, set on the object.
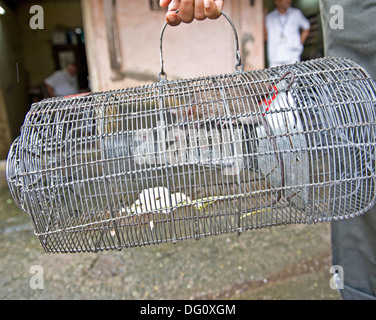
(286, 30)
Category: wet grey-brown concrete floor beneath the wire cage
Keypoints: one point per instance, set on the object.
(281, 263)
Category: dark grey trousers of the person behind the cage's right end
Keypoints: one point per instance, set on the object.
(353, 240)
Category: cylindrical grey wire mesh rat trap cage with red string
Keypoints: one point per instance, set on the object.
(185, 159)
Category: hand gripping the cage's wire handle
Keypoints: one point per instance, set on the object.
(191, 9)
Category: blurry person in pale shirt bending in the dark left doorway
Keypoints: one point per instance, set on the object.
(63, 82)
